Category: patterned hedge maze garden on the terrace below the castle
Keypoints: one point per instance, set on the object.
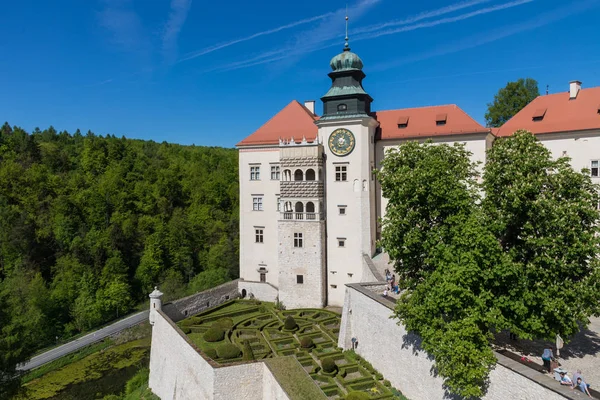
(244, 330)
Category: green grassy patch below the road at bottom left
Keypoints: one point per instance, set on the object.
(117, 361)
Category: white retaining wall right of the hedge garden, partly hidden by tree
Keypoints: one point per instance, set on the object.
(398, 356)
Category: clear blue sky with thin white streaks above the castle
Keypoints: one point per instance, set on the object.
(210, 73)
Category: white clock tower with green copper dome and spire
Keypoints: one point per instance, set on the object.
(348, 131)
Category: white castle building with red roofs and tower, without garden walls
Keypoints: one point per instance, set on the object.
(309, 200)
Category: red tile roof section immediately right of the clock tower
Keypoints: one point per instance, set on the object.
(423, 122)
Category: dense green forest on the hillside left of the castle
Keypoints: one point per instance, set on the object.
(89, 224)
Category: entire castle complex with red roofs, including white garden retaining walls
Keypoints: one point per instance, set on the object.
(309, 205)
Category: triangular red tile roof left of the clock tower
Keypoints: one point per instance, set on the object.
(294, 120)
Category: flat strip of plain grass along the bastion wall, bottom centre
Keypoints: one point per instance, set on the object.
(293, 379)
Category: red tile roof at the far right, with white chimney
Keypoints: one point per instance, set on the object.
(561, 114)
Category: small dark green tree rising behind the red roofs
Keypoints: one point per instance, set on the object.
(510, 100)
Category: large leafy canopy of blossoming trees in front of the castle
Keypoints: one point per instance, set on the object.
(521, 257)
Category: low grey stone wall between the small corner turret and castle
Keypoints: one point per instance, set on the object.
(182, 308)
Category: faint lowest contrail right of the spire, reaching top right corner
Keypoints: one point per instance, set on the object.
(497, 34)
